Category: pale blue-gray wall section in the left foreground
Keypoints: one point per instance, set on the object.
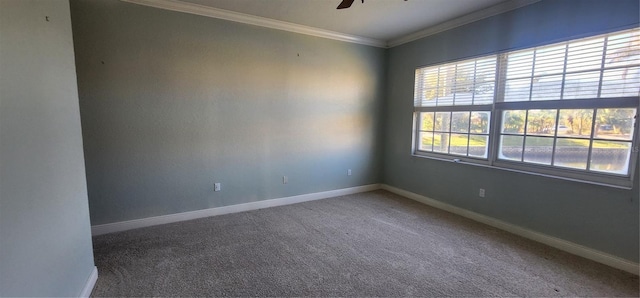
(45, 237)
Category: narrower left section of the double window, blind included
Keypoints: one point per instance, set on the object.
(453, 102)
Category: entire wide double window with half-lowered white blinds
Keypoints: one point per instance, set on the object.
(566, 109)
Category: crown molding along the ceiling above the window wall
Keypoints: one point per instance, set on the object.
(461, 21)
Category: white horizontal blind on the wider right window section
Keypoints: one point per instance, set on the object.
(605, 66)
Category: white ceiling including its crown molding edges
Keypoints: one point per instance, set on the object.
(375, 22)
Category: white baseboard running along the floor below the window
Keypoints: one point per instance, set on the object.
(564, 245)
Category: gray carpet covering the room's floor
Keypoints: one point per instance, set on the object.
(368, 244)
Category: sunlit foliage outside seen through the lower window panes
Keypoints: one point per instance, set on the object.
(576, 125)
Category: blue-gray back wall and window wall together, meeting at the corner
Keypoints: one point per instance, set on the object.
(172, 102)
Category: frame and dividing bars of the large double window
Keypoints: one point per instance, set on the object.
(499, 105)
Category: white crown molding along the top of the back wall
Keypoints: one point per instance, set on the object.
(180, 6)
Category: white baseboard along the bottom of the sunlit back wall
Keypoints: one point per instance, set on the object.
(170, 218)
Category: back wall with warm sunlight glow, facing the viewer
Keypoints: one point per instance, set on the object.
(172, 103)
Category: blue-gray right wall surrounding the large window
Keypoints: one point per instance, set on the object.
(599, 217)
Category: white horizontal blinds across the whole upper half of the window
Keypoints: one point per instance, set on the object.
(605, 66)
